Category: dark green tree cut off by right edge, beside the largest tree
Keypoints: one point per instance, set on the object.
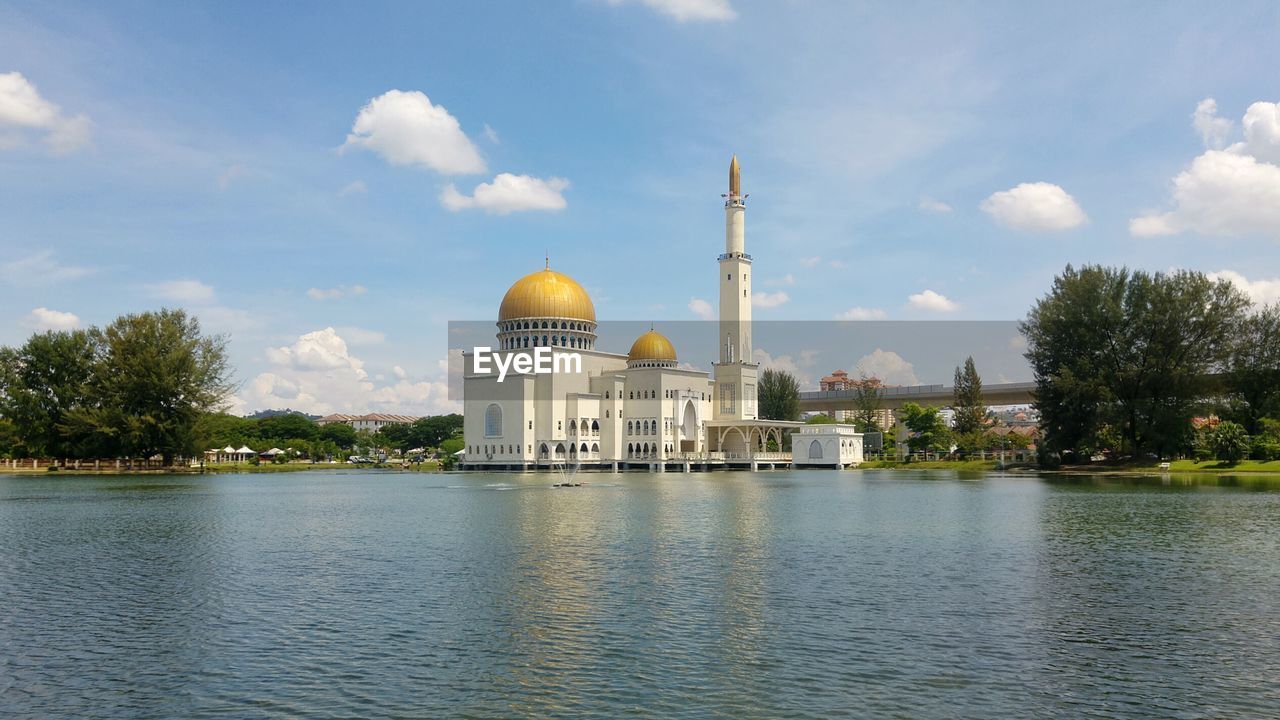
(1252, 375)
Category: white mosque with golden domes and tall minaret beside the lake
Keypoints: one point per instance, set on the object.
(634, 411)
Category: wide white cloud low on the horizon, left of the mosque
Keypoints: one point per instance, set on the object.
(319, 375)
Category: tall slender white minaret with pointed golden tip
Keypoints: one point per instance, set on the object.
(735, 373)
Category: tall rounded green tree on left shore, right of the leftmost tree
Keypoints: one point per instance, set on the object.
(154, 376)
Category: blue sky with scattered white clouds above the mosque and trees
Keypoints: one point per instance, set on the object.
(331, 185)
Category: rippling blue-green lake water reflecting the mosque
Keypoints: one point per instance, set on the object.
(874, 594)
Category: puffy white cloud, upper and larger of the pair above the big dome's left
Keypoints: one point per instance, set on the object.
(408, 130)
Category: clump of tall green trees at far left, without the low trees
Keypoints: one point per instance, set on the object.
(135, 389)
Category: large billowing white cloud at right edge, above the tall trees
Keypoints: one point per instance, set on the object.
(1226, 193)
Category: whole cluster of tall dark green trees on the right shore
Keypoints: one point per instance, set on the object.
(1124, 361)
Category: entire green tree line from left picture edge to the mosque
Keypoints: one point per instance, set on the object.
(154, 385)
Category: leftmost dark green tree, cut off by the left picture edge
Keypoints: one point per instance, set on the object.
(42, 384)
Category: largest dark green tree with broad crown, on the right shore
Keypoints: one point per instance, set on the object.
(1123, 358)
